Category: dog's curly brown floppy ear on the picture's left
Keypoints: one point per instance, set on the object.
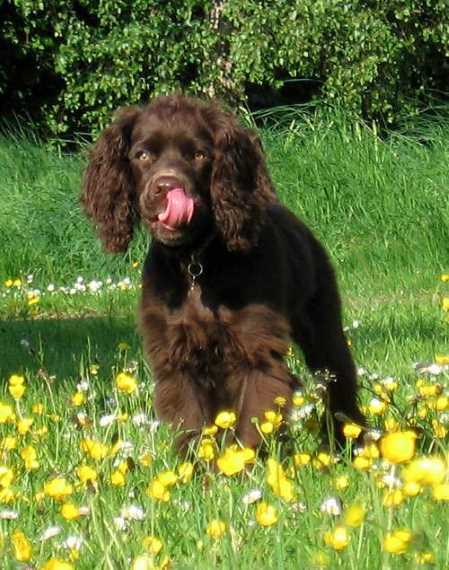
(108, 193)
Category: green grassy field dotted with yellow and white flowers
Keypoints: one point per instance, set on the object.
(88, 478)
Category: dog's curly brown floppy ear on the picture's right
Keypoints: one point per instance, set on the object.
(241, 188)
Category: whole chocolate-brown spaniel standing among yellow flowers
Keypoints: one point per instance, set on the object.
(231, 276)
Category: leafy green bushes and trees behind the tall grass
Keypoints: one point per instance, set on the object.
(379, 59)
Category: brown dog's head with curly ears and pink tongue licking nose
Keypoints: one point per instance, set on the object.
(185, 169)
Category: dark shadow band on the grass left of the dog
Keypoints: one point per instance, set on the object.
(62, 346)
